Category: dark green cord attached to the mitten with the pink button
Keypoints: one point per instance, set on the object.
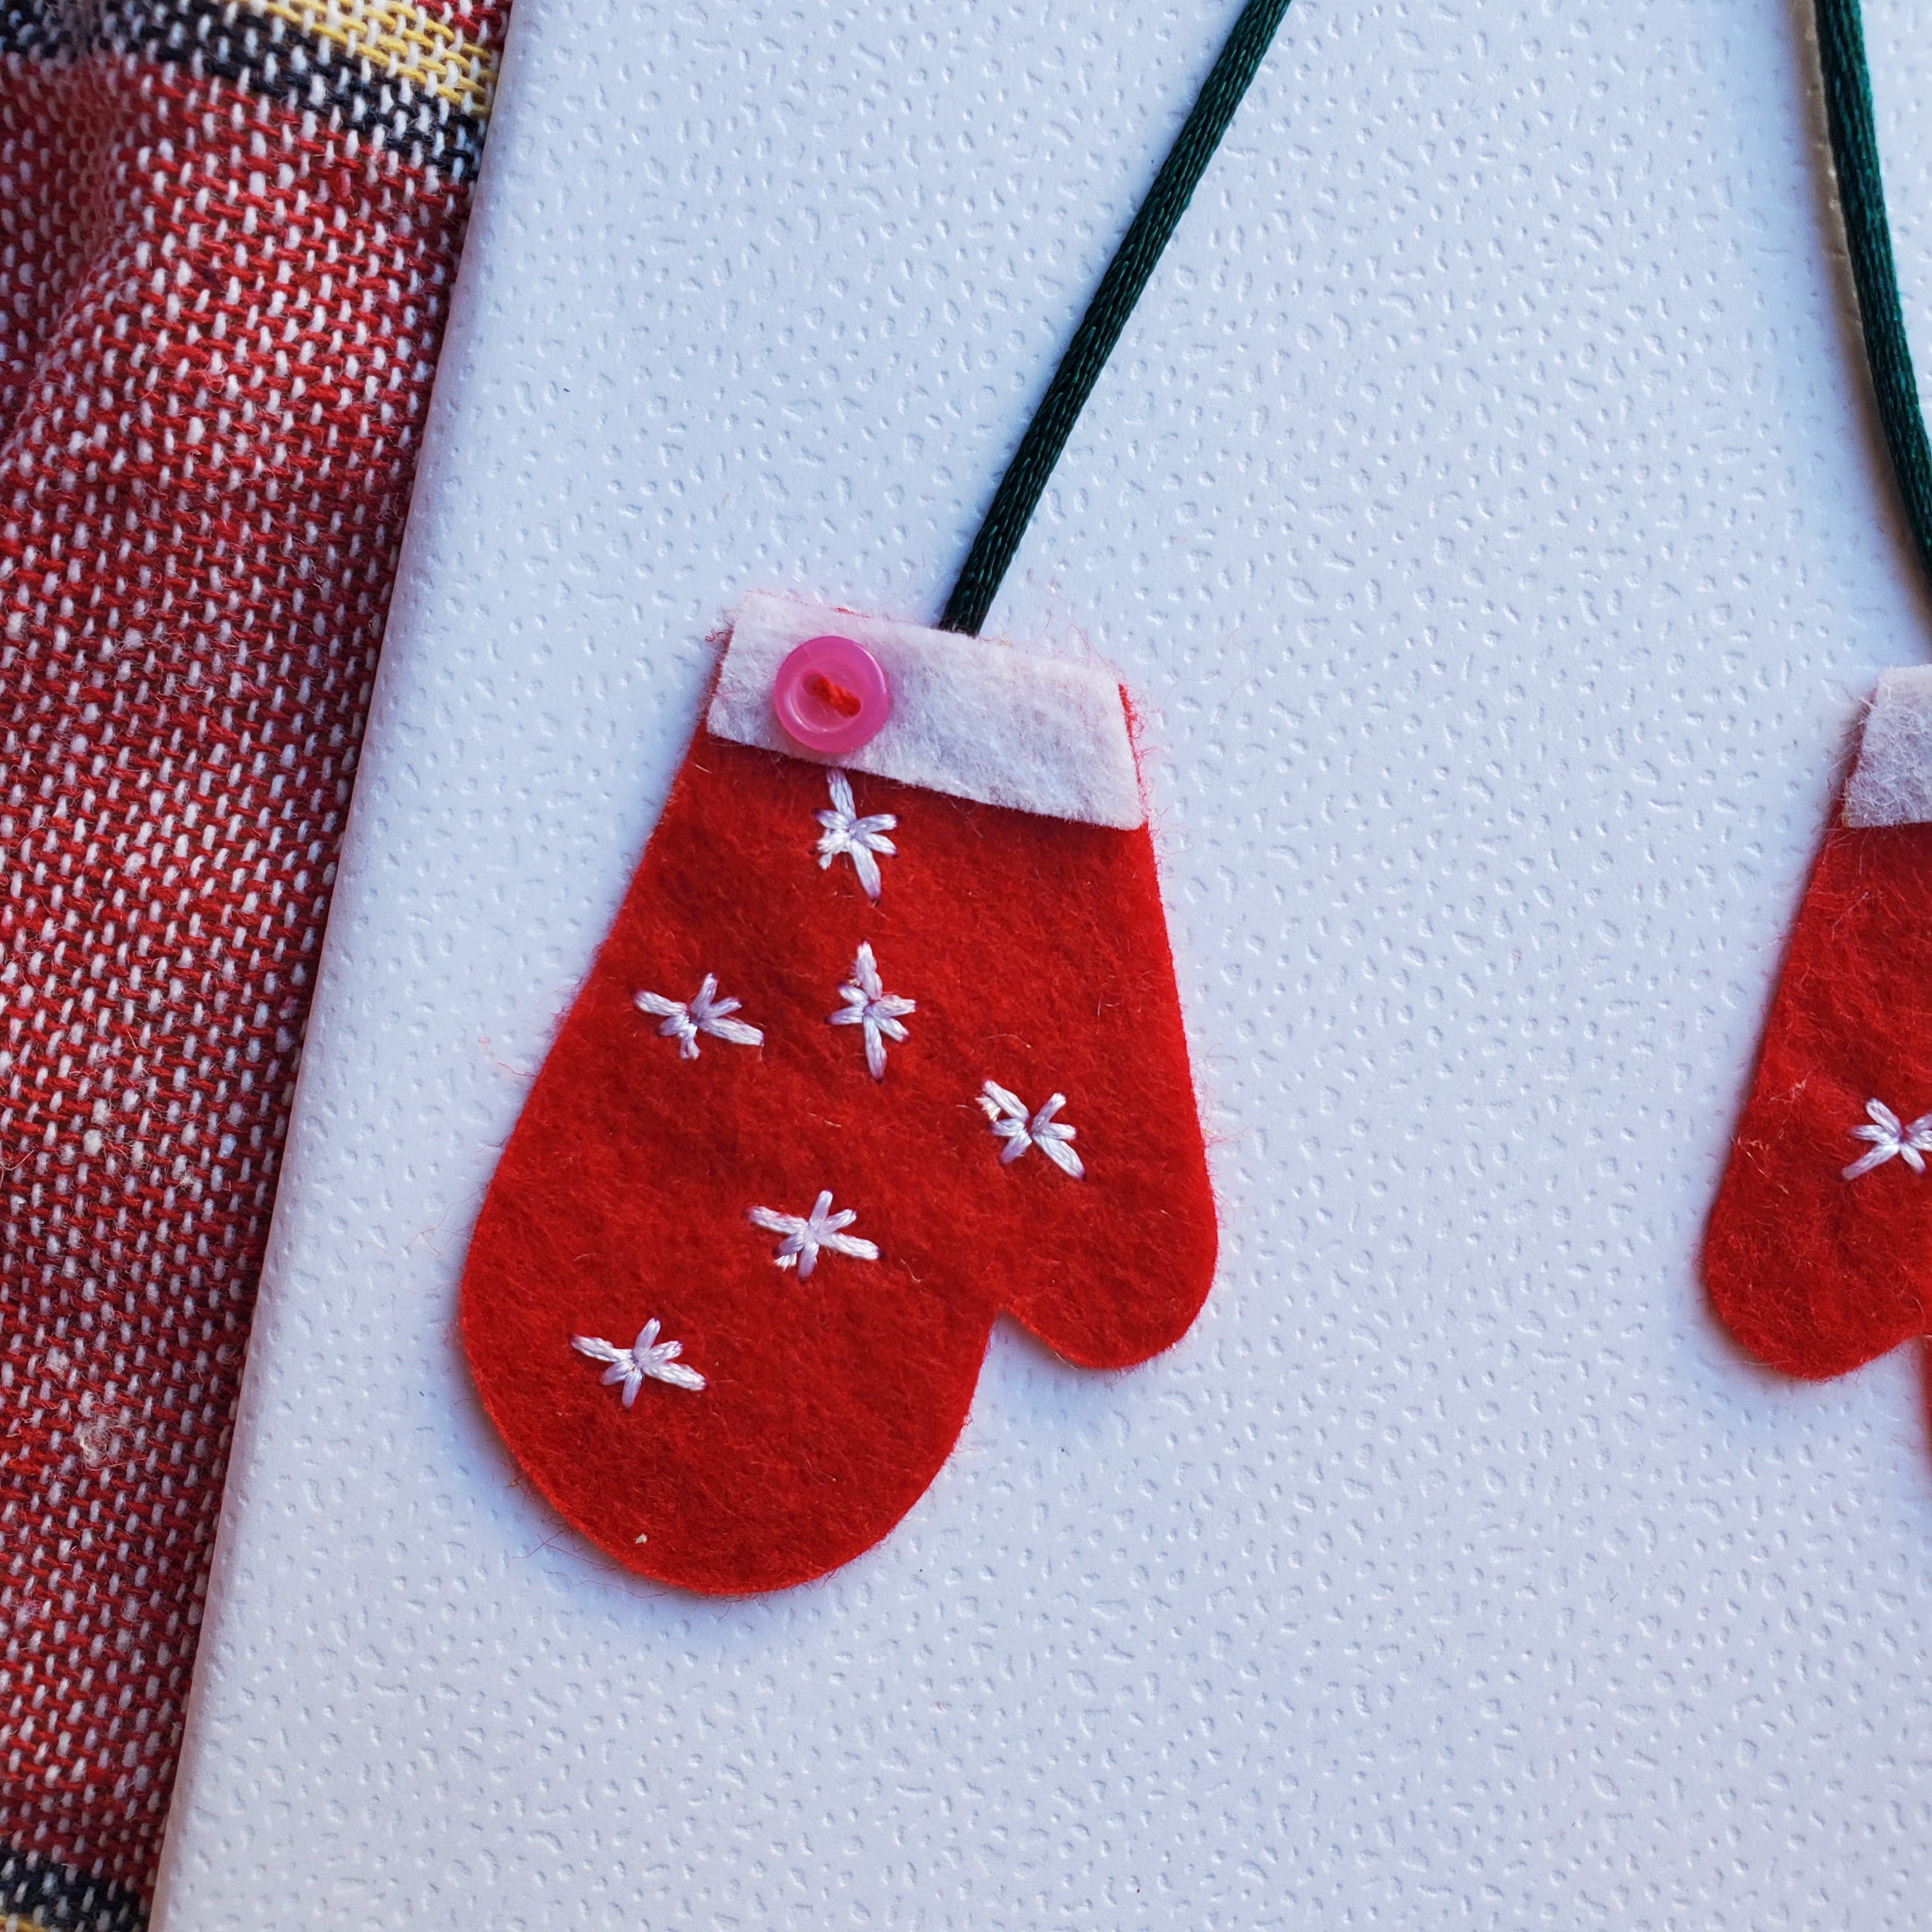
(1108, 312)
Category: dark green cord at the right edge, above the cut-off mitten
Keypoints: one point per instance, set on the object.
(1861, 192)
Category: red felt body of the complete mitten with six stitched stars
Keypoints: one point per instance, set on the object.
(1038, 957)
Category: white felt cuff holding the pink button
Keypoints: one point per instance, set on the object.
(969, 718)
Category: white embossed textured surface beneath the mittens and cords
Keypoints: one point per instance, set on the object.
(1489, 507)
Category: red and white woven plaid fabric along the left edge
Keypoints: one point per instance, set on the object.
(227, 239)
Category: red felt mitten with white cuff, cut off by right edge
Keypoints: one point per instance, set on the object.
(1819, 1253)
